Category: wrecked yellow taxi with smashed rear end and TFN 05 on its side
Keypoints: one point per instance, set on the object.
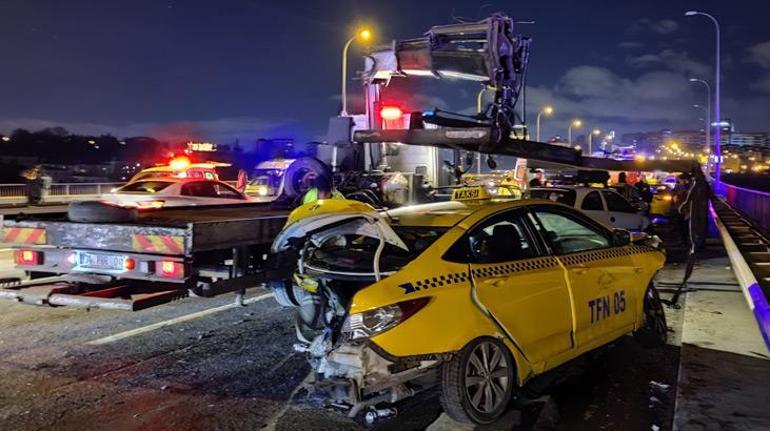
(476, 295)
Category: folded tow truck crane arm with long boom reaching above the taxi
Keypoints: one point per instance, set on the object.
(488, 52)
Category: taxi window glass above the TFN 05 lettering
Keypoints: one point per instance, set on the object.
(569, 232)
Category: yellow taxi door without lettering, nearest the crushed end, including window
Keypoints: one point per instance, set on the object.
(522, 287)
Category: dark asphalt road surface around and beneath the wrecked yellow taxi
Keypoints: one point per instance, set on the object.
(234, 368)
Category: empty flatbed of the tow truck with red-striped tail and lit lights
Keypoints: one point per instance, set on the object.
(161, 256)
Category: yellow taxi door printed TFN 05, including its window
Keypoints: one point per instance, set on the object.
(601, 276)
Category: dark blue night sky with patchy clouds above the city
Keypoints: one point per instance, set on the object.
(246, 69)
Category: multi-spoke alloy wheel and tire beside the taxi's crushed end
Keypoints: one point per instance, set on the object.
(474, 390)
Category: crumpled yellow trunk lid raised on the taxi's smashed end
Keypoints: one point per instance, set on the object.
(336, 216)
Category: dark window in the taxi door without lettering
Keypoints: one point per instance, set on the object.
(501, 239)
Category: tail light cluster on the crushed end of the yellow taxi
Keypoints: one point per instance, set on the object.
(372, 322)
